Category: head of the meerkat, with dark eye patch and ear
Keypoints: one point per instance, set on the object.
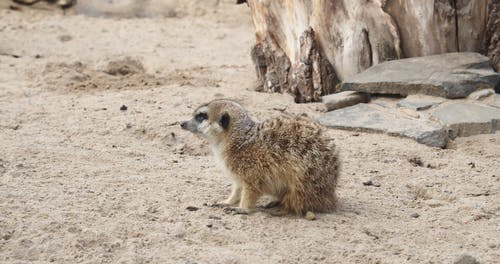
(218, 119)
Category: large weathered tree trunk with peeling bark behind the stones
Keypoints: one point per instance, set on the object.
(321, 42)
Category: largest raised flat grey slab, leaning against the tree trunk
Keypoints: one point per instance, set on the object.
(450, 75)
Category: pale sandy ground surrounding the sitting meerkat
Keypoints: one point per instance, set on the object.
(83, 181)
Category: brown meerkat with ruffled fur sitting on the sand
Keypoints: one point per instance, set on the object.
(286, 157)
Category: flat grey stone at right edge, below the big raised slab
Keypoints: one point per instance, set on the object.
(464, 119)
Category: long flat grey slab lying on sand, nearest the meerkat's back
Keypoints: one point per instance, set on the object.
(369, 117)
